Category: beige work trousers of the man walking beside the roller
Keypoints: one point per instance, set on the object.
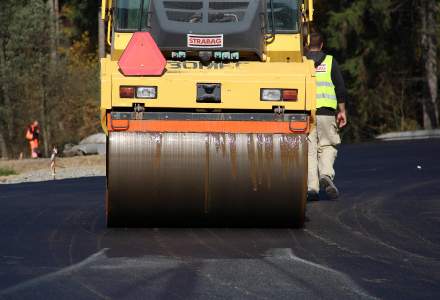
(322, 140)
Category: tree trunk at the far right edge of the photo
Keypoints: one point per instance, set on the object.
(428, 12)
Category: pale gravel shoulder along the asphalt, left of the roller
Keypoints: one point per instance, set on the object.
(33, 170)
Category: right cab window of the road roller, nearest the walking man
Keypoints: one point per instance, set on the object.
(285, 16)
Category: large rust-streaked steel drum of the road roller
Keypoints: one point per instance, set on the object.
(189, 179)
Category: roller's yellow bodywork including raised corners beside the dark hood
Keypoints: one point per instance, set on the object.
(241, 81)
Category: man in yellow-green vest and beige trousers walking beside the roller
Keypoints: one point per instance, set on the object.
(331, 96)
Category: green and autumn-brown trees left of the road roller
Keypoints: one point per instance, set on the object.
(46, 76)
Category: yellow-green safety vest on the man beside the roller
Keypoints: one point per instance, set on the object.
(325, 89)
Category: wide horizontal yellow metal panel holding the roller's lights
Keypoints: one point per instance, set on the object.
(240, 85)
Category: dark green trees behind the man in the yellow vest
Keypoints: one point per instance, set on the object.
(376, 43)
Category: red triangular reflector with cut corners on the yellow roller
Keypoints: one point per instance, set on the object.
(142, 57)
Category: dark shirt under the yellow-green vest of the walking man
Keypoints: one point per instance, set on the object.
(338, 82)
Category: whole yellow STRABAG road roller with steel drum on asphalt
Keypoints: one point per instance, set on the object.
(206, 105)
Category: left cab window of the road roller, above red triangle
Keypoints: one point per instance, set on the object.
(131, 15)
